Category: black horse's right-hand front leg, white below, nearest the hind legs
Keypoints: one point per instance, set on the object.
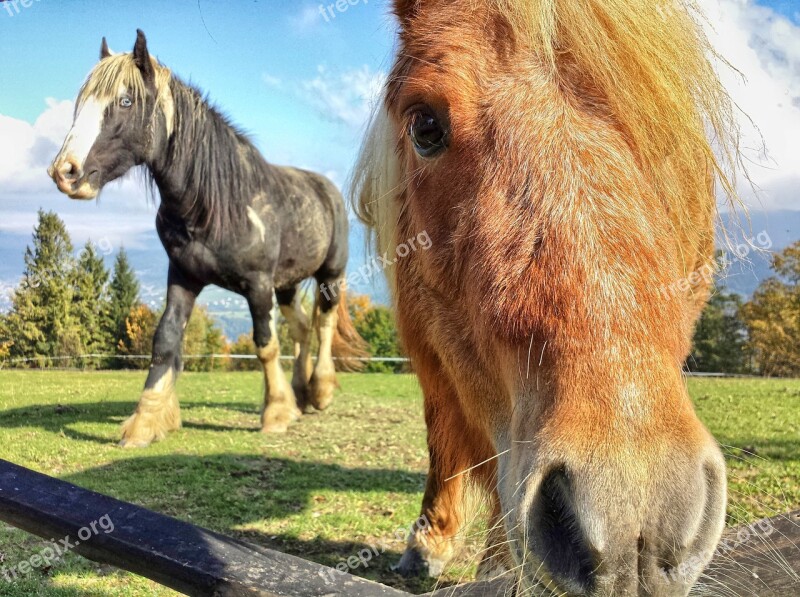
(280, 408)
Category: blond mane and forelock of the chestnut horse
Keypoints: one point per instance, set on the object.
(649, 65)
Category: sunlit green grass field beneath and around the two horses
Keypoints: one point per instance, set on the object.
(334, 483)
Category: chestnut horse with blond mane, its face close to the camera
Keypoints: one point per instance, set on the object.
(557, 153)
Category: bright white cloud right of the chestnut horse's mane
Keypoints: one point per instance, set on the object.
(765, 48)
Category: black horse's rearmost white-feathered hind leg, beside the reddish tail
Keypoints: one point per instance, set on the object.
(323, 379)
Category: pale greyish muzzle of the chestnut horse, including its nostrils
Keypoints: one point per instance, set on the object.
(599, 527)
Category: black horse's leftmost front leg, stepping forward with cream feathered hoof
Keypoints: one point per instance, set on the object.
(158, 411)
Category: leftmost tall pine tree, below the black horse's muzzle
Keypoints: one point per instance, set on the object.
(41, 322)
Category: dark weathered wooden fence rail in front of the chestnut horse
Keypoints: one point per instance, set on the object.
(762, 560)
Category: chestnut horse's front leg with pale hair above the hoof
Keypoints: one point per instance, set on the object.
(454, 447)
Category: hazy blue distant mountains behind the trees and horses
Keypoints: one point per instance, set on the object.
(771, 231)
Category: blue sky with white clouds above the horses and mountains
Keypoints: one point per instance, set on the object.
(302, 85)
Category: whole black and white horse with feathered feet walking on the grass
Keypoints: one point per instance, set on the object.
(226, 217)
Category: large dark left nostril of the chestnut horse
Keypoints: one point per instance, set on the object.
(556, 536)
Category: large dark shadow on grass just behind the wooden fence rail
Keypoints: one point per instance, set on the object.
(222, 492)
